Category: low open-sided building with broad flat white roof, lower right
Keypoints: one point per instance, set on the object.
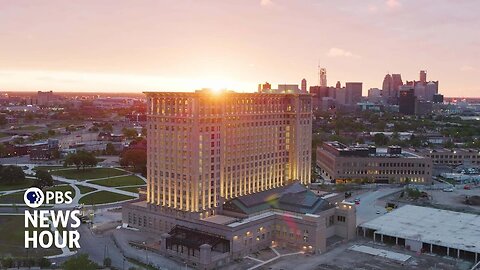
(428, 230)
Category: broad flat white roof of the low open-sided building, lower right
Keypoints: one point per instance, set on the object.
(429, 225)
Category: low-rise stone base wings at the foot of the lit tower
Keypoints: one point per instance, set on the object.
(289, 216)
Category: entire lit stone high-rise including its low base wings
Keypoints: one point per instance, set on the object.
(226, 176)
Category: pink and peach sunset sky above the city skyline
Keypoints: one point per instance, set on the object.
(183, 45)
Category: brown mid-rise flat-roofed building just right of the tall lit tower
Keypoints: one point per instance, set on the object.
(340, 163)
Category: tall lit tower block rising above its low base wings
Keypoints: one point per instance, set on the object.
(205, 147)
